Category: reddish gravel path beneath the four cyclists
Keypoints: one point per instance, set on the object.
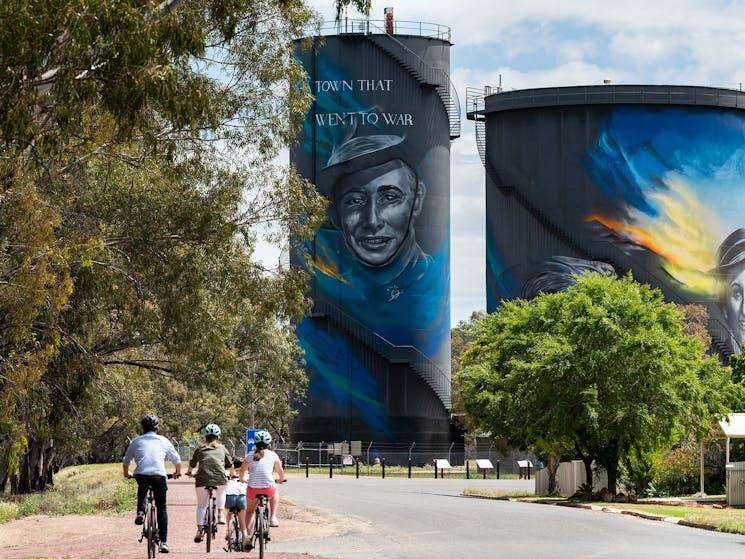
(116, 536)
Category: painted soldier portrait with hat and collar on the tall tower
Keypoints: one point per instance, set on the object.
(375, 199)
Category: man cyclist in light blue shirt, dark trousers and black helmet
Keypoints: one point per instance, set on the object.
(149, 452)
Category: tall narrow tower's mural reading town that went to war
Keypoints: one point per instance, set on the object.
(376, 144)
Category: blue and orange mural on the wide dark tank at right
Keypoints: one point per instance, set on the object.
(658, 190)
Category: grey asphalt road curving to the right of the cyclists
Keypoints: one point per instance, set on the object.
(422, 519)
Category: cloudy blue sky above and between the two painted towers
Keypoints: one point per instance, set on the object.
(541, 43)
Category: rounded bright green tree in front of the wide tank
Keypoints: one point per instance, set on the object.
(599, 370)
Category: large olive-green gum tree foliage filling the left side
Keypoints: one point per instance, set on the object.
(137, 141)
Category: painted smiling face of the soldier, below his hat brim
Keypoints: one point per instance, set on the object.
(376, 208)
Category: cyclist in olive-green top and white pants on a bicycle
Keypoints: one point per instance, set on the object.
(212, 458)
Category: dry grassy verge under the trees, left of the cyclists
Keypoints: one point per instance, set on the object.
(87, 489)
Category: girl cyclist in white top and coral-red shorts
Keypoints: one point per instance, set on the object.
(261, 464)
